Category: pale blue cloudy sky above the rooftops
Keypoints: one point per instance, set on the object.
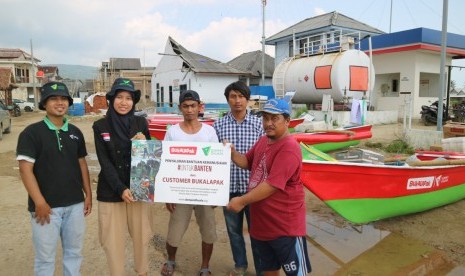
(87, 32)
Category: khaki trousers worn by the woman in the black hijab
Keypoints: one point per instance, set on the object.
(115, 218)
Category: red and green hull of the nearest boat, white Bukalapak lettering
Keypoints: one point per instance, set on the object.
(362, 193)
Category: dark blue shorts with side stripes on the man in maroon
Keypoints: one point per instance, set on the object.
(288, 253)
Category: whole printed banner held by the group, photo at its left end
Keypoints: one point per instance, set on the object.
(180, 172)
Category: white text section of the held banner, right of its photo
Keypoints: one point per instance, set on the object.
(193, 173)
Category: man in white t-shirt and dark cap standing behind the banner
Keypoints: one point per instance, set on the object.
(191, 129)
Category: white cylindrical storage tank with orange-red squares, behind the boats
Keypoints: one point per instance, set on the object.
(337, 74)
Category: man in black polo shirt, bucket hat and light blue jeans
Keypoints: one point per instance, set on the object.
(51, 155)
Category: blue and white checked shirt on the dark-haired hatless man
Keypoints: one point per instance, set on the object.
(243, 136)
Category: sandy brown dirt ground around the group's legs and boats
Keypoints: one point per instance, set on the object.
(442, 228)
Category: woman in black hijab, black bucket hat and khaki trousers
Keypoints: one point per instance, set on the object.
(117, 210)
